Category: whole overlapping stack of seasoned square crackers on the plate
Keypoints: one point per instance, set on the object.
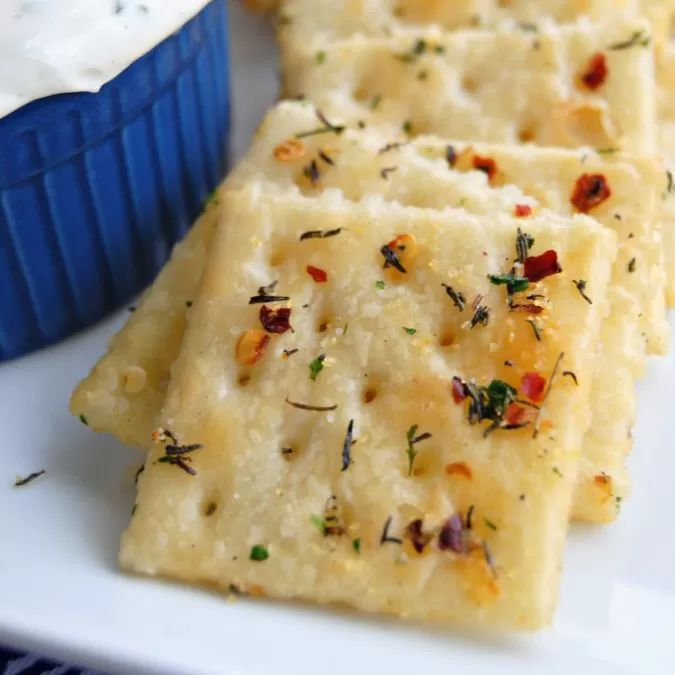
(396, 355)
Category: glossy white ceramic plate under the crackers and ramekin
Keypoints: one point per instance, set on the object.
(61, 594)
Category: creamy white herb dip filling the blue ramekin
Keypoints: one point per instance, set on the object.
(60, 46)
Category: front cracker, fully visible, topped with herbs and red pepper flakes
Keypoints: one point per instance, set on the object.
(362, 412)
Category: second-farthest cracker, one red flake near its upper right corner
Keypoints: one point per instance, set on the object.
(567, 86)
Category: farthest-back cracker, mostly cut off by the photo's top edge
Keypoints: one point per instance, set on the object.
(320, 21)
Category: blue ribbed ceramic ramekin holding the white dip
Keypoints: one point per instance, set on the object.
(96, 188)
